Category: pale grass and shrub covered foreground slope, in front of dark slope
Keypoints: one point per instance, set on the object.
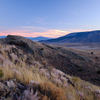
(23, 77)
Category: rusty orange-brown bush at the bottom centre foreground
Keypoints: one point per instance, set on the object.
(51, 92)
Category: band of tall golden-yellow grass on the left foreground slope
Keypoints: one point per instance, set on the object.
(23, 75)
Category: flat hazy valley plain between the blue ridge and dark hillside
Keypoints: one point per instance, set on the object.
(86, 47)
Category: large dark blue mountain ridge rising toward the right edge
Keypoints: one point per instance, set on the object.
(78, 37)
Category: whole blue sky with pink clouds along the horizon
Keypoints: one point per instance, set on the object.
(48, 18)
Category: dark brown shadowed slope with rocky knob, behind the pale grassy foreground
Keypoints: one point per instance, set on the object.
(82, 65)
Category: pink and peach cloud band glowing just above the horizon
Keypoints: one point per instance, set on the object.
(48, 33)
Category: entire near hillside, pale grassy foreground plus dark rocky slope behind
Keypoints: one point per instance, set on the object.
(36, 70)
